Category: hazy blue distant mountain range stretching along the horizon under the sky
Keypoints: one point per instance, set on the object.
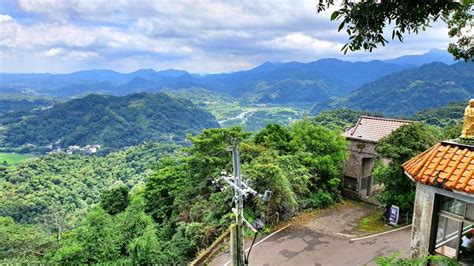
(269, 83)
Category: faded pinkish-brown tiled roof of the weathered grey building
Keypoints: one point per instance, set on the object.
(372, 129)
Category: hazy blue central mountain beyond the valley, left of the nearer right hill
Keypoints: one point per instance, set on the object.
(299, 82)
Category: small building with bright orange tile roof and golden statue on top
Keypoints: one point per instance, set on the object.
(443, 216)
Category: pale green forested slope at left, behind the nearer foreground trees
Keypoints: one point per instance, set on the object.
(67, 185)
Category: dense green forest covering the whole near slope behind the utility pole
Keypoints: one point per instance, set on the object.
(80, 209)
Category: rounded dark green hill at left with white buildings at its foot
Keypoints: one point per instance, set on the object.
(113, 122)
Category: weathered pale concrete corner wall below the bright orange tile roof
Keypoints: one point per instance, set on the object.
(422, 220)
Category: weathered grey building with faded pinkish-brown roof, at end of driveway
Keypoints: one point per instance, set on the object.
(357, 181)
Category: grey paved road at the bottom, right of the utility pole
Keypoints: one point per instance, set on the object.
(306, 245)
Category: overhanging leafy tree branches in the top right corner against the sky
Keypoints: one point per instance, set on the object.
(365, 22)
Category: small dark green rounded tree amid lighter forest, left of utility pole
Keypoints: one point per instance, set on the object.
(115, 200)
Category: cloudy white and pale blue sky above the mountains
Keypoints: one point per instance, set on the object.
(200, 36)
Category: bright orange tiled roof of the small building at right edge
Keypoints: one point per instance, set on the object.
(447, 164)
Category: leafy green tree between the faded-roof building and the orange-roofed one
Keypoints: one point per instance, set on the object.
(401, 145)
